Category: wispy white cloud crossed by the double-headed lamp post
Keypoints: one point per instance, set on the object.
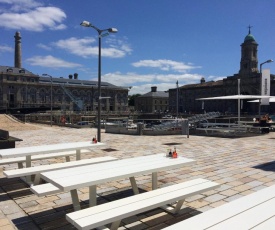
(84, 47)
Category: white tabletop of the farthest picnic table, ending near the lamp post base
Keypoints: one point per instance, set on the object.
(28, 151)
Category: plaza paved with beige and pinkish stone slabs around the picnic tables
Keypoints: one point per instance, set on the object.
(241, 165)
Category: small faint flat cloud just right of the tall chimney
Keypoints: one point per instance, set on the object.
(51, 62)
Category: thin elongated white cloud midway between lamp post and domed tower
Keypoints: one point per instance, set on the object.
(166, 65)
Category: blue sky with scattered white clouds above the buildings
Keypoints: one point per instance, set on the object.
(159, 42)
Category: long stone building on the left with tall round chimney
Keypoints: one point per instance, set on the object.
(21, 89)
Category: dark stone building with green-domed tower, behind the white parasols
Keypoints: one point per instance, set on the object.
(250, 79)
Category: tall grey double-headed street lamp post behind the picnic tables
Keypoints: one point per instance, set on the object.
(100, 35)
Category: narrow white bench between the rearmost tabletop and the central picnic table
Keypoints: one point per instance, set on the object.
(44, 168)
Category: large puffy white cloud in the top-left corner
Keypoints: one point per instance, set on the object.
(31, 17)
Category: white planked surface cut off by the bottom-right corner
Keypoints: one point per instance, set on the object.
(254, 211)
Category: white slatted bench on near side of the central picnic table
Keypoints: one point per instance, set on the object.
(113, 212)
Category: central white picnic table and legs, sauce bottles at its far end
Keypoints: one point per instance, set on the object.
(93, 175)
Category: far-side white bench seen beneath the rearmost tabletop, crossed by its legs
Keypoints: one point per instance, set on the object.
(40, 157)
